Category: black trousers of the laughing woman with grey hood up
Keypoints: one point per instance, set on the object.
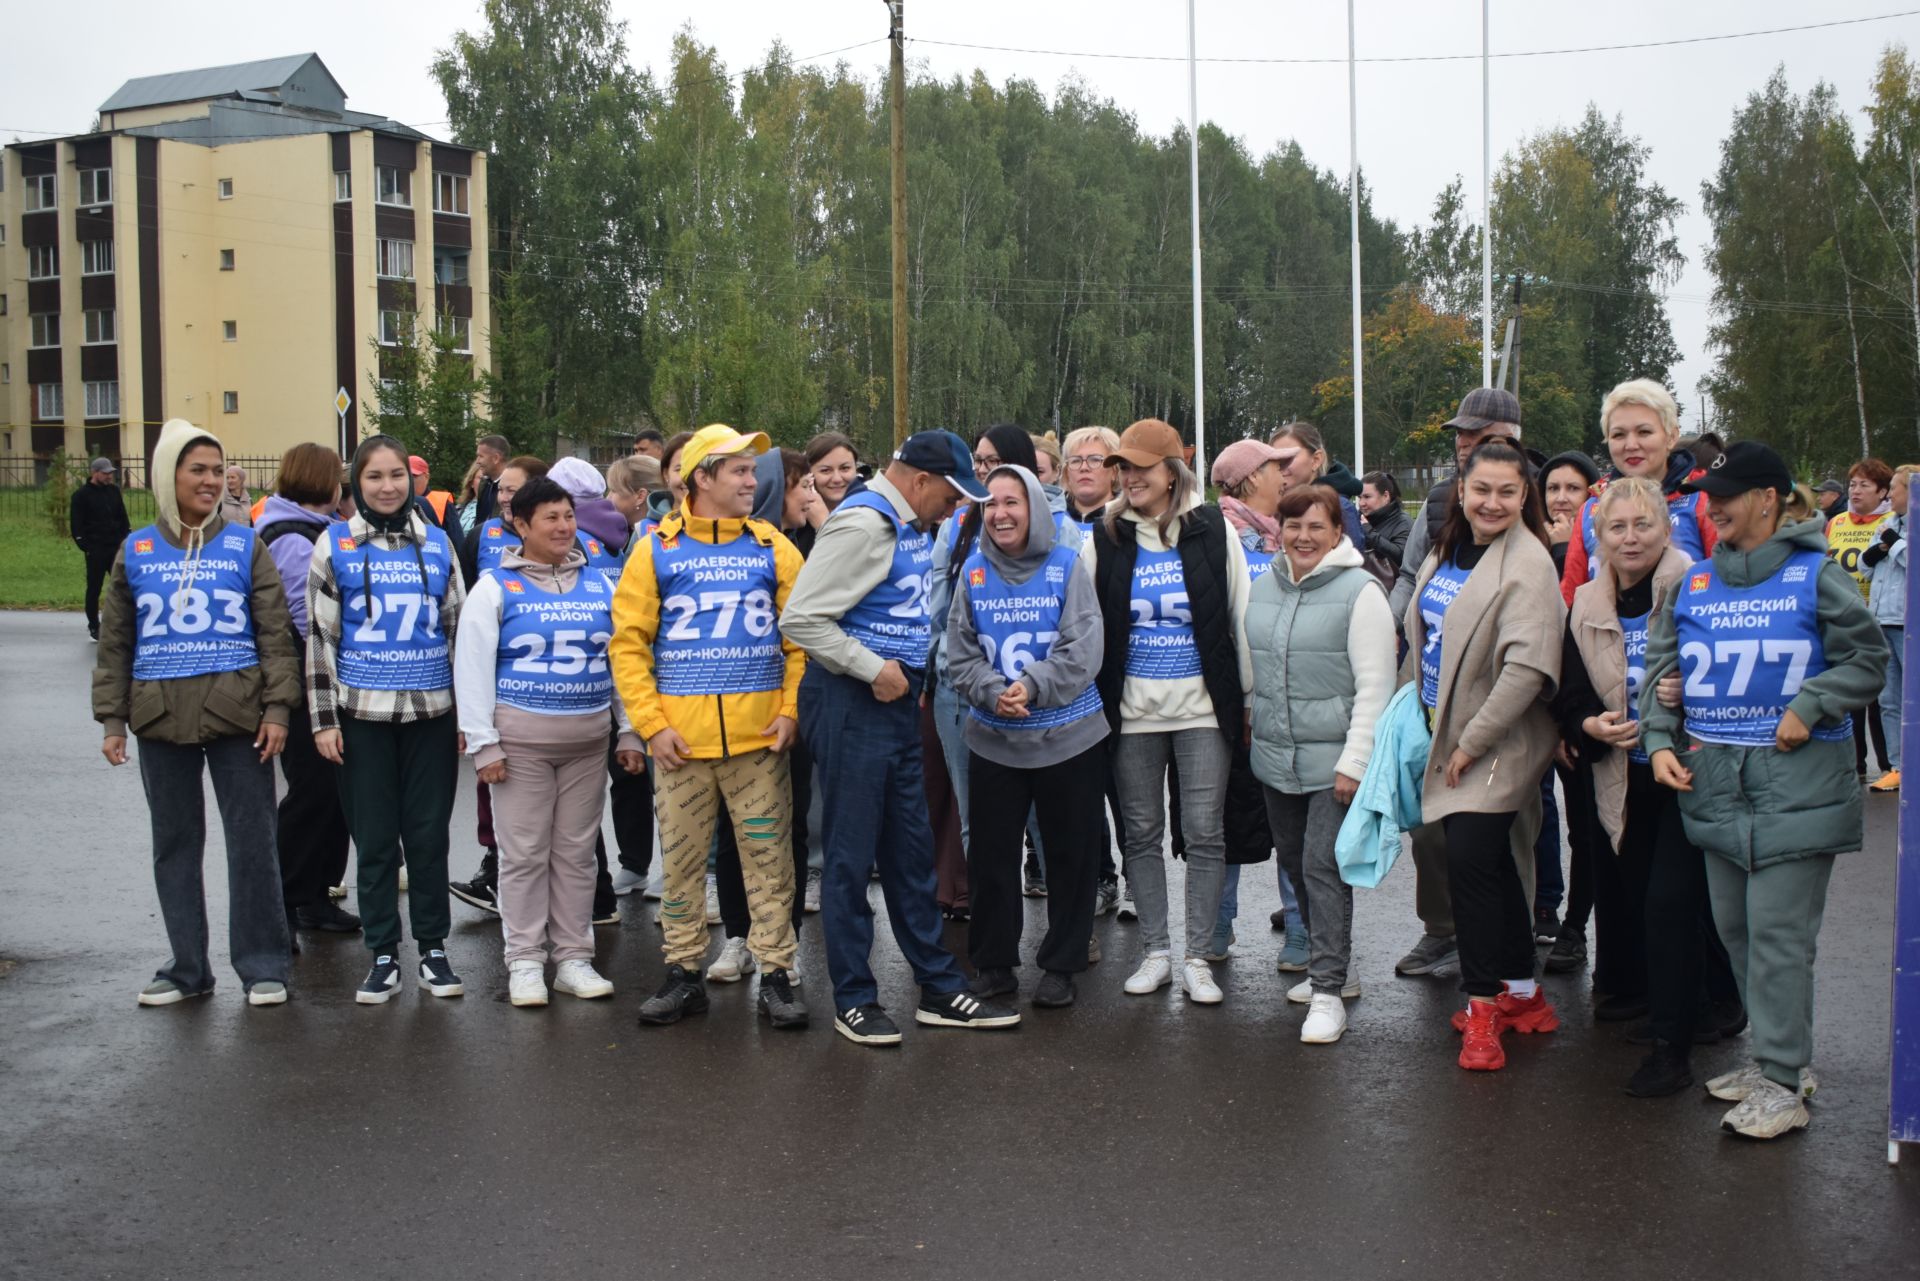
(1068, 802)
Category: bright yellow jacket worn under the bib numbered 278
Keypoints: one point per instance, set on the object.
(719, 725)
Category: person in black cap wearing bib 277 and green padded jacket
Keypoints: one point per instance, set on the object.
(1762, 756)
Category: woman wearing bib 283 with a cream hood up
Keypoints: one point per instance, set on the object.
(197, 662)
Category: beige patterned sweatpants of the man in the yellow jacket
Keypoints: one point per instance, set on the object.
(759, 800)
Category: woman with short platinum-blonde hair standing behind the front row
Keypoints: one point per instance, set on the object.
(1641, 425)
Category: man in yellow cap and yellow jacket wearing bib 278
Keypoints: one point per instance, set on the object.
(713, 687)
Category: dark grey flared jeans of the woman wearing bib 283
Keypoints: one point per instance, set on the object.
(256, 919)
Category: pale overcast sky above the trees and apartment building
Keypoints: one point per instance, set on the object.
(1420, 122)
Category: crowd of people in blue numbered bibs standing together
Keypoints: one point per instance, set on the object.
(972, 675)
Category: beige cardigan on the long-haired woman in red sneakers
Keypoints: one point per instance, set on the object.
(1499, 669)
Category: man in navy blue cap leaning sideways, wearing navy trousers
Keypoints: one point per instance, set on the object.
(859, 610)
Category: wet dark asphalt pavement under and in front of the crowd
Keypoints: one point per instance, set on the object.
(1122, 1138)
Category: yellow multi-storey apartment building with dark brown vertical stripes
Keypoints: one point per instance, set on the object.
(224, 249)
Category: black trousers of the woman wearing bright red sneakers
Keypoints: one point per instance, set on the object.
(1493, 919)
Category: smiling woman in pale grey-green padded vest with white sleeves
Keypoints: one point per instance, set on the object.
(1324, 669)
